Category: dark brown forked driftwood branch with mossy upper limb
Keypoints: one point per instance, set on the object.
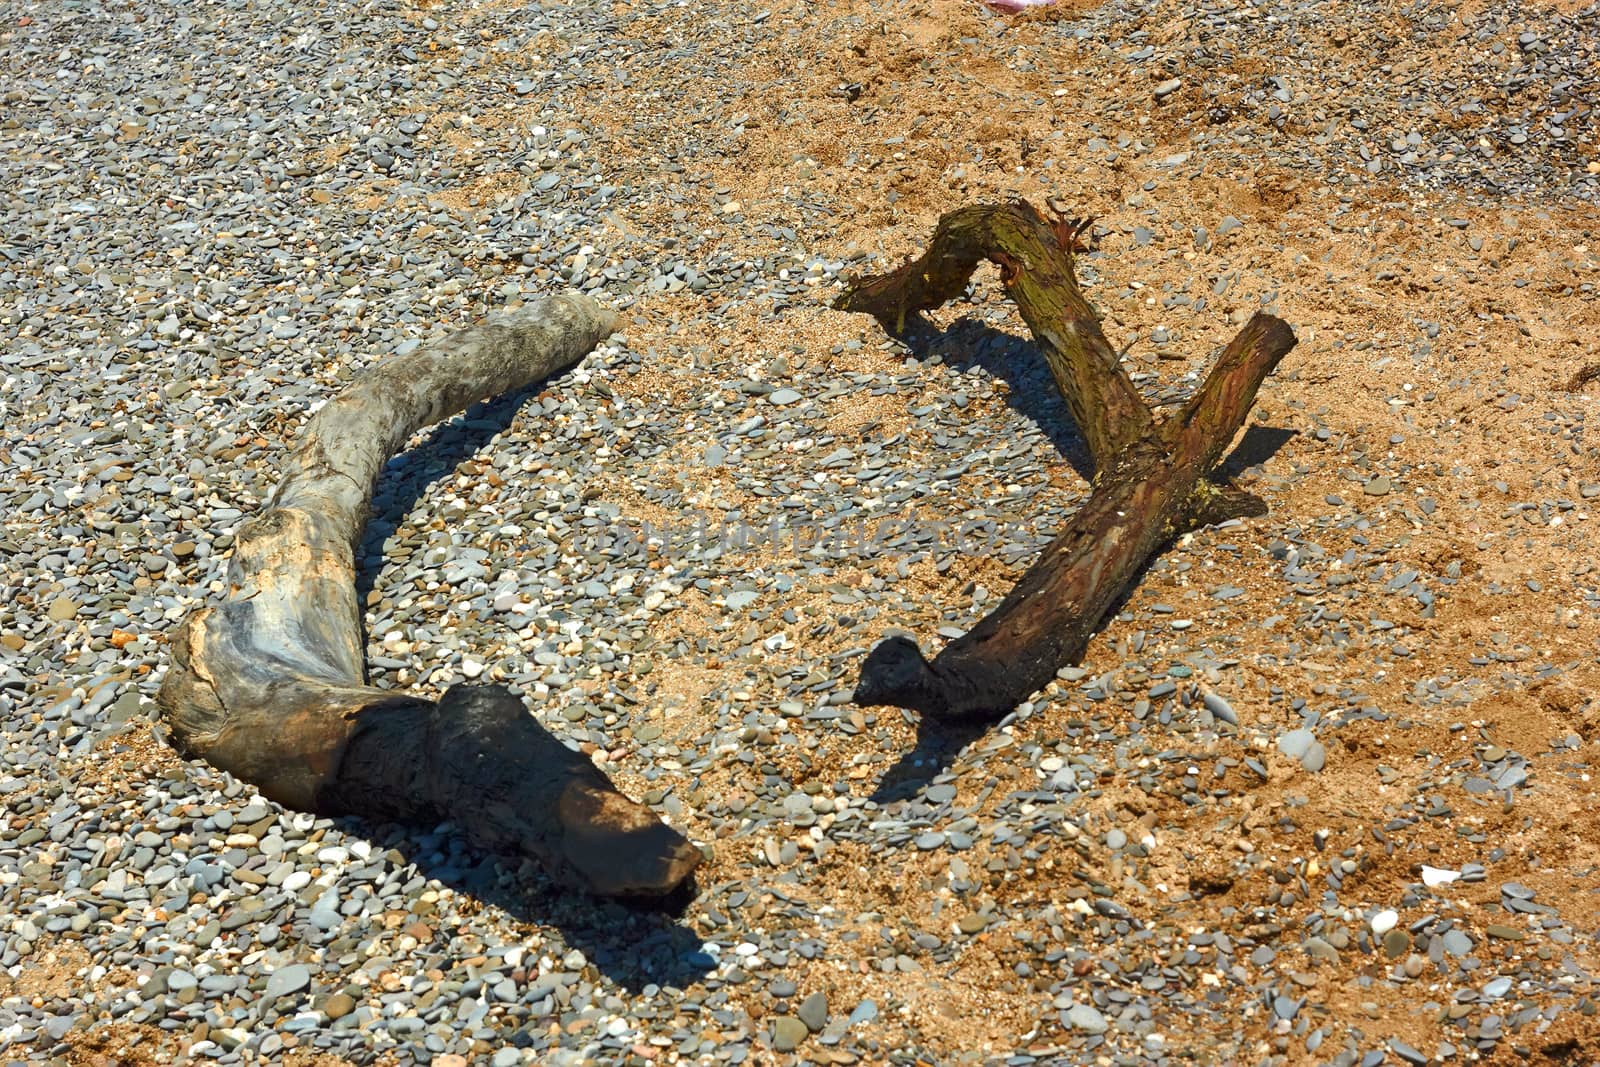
(1153, 479)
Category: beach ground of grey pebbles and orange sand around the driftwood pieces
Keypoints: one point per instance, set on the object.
(1321, 793)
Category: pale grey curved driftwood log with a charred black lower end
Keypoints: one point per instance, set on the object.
(268, 682)
